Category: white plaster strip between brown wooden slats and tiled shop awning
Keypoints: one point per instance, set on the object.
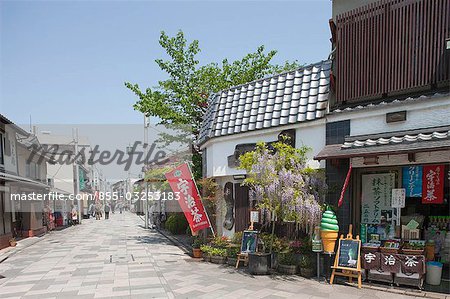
(426, 113)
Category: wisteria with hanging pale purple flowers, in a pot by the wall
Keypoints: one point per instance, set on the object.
(281, 183)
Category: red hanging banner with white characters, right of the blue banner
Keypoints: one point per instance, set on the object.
(433, 184)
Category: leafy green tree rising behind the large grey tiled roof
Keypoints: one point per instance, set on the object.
(182, 98)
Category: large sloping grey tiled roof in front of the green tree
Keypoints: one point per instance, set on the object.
(282, 99)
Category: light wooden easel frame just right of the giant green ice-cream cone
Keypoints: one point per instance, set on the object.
(347, 271)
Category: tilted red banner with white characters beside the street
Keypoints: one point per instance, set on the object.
(182, 184)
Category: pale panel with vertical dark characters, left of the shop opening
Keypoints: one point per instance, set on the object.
(376, 196)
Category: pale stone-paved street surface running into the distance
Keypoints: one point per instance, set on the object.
(119, 258)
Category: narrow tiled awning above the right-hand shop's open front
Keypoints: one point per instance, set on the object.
(423, 140)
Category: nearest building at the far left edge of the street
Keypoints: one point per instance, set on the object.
(21, 174)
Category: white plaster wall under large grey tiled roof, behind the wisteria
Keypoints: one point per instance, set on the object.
(311, 134)
